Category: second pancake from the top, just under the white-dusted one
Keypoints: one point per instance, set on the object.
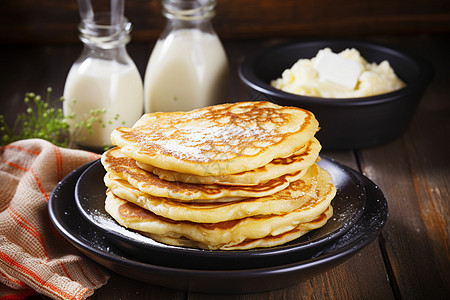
(300, 160)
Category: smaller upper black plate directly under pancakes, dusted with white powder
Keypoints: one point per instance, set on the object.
(348, 206)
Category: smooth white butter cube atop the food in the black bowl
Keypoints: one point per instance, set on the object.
(338, 69)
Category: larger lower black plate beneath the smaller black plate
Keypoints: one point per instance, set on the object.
(94, 244)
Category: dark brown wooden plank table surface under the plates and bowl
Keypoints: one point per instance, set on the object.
(409, 260)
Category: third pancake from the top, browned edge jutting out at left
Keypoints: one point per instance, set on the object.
(126, 168)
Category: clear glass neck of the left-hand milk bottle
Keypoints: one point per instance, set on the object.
(100, 33)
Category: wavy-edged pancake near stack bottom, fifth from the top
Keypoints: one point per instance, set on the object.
(223, 234)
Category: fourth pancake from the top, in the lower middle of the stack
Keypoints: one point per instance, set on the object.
(289, 199)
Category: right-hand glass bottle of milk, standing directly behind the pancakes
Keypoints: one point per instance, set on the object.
(188, 67)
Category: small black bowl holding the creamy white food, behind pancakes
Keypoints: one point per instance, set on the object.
(346, 123)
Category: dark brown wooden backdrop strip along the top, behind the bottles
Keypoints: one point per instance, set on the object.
(55, 21)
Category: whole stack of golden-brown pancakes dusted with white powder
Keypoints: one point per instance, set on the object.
(230, 176)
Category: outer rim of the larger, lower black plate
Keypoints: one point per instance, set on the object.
(221, 281)
